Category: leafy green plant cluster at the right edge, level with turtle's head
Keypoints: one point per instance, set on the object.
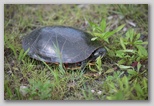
(132, 48)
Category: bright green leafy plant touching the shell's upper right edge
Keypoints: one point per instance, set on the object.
(100, 32)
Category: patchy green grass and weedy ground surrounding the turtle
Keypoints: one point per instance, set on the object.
(122, 75)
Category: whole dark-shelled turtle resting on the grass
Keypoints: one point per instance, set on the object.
(62, 44)
